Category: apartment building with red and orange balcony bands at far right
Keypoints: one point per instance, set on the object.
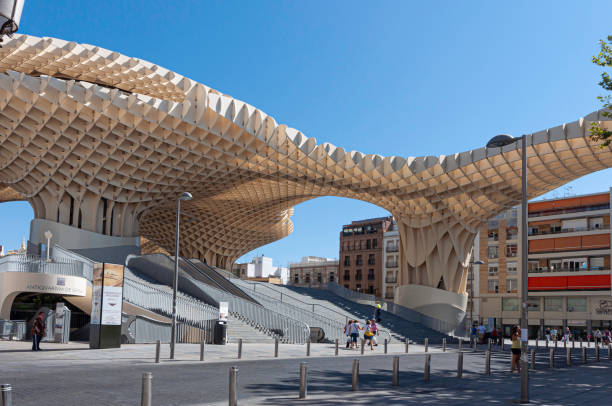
(569, 266)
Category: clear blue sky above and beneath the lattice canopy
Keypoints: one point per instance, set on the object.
(395, 78)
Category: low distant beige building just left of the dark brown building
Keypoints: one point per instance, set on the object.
(313, 272)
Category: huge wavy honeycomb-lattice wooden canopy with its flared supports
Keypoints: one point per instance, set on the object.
(102, 145)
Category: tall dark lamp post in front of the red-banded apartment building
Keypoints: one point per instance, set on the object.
(497, 142)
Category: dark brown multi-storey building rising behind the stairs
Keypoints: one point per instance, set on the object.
(361, 255)
